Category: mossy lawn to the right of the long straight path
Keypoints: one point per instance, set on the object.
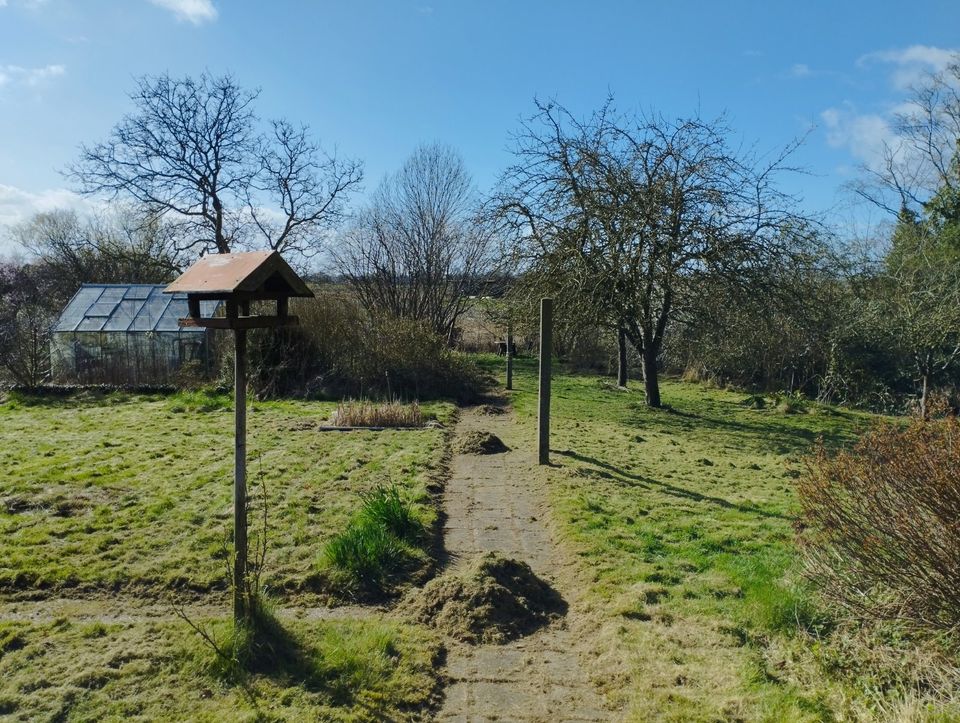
(683, 520)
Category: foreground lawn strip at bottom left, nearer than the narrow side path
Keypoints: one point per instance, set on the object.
(344, 671)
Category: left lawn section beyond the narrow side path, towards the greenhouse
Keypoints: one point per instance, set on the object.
(133, 492)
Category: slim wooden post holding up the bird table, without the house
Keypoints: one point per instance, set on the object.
(240, 478)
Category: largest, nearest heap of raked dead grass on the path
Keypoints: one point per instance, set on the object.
(490, 600)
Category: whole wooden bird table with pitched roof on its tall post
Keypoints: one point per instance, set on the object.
(238, 280)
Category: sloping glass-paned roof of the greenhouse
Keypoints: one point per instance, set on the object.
(128, 307)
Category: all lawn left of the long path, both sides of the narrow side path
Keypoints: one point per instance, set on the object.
(119, 495)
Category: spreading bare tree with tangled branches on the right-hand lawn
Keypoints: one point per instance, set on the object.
(628, 213)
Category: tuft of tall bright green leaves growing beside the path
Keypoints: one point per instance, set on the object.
(381, 540)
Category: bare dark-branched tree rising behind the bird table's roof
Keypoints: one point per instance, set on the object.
(193, 153)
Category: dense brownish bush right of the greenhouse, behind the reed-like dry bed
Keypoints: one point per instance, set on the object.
(338, 350)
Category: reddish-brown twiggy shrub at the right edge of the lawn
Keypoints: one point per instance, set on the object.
(882, 535)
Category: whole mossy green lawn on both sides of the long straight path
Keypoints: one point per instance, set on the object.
(682, 520)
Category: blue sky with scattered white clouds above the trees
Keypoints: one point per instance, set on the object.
(374, 79)
